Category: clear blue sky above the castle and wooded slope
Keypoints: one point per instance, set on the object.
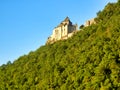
(26, 24)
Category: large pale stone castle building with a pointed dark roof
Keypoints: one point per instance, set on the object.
(63, 31)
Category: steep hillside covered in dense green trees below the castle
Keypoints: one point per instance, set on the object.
(90, 60)
